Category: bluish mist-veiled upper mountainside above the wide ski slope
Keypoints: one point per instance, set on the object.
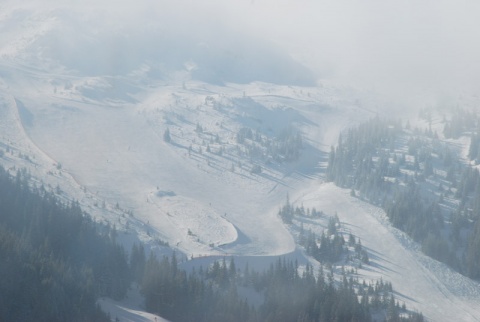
(166, 40)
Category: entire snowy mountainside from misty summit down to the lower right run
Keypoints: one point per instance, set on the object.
(90, 126)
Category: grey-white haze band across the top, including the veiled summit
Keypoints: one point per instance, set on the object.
(413, 52)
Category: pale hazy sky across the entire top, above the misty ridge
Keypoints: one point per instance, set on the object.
(405, 48)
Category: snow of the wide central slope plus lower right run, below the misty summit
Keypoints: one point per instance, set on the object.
(116, 155)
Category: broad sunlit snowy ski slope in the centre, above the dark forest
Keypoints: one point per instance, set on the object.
(193, 200)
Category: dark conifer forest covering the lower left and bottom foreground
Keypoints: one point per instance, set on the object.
(57, 262)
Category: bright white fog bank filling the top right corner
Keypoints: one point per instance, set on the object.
(399, 47)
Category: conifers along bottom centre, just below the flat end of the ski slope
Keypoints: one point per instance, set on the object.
(212, 294)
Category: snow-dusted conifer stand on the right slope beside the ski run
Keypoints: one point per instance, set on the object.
(422, 186)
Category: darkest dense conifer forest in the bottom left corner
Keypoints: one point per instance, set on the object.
(56, 261)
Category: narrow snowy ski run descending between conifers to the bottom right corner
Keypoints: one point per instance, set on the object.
(440, 293)
